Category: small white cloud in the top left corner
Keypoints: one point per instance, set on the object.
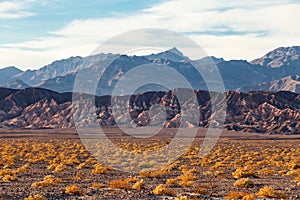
(12, 10)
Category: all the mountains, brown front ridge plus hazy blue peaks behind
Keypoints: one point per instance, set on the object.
(261, 95)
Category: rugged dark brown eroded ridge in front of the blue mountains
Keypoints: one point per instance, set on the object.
(254, 111)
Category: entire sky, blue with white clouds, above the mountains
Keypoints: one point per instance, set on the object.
(34, 33)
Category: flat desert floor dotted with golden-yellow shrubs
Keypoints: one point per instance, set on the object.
(56, 165)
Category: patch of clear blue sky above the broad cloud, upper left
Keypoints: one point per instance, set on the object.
(46, 16)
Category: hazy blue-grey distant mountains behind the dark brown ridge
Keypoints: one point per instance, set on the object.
(277, 70)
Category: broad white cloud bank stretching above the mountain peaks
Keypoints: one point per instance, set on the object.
(232, 29)
